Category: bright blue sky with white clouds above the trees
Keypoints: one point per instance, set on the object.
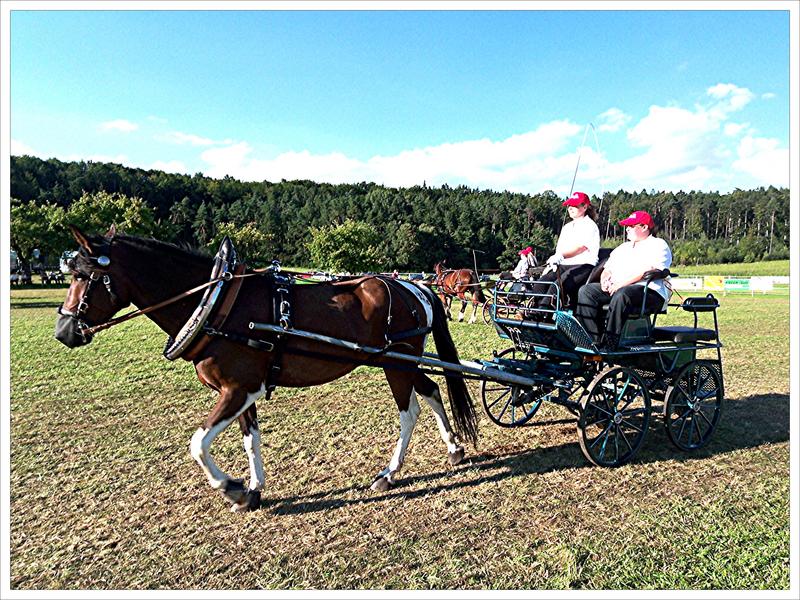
(490, 99)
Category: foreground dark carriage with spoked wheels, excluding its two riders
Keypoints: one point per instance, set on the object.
(612, 394)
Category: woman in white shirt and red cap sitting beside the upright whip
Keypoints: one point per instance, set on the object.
(576, 252)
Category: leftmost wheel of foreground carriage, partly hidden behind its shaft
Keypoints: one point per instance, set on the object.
(510, 405)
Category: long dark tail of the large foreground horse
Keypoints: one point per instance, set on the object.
(461, 405)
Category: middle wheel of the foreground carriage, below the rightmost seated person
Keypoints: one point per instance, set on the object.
(615, 413)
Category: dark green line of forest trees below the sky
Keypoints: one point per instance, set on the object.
(409, 229)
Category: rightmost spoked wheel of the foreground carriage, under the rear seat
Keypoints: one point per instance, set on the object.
(693, 405)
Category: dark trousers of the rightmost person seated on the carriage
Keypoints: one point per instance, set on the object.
(625, 301)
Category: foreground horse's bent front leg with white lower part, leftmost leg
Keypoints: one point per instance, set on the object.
(232, 402)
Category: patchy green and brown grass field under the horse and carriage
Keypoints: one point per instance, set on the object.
(105, 495)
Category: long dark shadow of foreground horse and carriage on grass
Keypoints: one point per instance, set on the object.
(745, 423)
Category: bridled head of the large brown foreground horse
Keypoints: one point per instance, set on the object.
(95, 294)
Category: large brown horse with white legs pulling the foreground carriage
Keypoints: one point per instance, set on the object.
(113, 271)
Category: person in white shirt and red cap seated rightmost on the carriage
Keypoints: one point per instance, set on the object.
(621, 282)
